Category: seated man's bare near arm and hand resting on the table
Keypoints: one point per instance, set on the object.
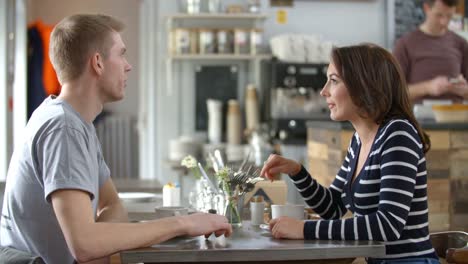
(90, 240)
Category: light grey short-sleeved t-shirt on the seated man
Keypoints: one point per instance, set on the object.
(59, 151)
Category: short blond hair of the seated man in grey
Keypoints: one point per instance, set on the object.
(76, 38)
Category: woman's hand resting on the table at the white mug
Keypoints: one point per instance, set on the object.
(286, 227)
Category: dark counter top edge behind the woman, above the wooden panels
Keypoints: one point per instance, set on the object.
(430, 125)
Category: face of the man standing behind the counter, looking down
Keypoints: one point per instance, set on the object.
(438, 16)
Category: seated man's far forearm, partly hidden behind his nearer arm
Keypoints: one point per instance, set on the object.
(110, 208)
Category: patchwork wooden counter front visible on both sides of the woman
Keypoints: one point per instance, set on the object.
(447, 166)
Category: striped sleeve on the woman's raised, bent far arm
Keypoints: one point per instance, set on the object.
(326, 202)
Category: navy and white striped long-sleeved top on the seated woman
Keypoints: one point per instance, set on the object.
(388, 197)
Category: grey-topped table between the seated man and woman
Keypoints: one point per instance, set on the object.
(252, 244)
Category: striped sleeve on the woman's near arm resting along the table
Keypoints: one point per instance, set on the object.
(399, 153)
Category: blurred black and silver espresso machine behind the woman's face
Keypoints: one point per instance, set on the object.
(293, 97)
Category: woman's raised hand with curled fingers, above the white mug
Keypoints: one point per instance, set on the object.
(277, 164)
